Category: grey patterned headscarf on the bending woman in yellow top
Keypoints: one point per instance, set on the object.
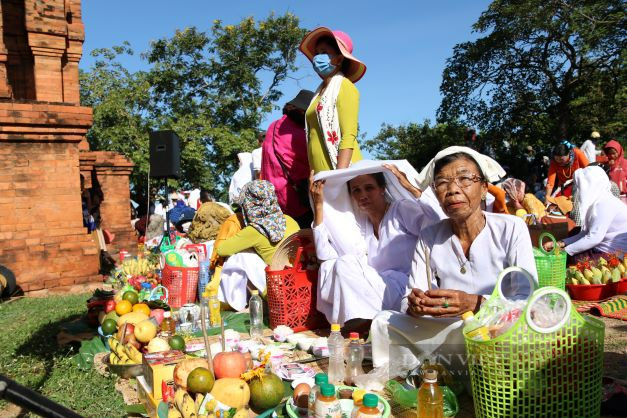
(262, 211)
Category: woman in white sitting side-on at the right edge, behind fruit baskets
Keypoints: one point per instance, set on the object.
(603, 217)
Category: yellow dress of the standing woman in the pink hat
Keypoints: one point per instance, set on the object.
(348, 111)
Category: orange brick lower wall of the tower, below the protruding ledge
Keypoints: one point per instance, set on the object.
(42, 238)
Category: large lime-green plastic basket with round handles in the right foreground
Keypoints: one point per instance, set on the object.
(530, 371)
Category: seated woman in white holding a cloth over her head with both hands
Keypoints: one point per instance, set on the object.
(364, 239)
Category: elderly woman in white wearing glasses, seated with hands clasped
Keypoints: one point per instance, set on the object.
(464, 254)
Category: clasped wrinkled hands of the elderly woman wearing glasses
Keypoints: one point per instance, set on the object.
(441, 303)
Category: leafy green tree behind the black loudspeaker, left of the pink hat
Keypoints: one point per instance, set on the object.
(212, 88)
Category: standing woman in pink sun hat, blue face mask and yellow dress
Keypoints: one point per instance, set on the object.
(331, 119)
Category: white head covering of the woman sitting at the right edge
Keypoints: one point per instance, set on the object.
(592, 185)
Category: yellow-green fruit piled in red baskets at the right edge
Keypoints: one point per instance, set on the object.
(588, 280)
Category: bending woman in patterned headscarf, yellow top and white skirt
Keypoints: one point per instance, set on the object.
(252, 248)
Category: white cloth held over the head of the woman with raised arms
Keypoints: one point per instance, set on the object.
(345, 223)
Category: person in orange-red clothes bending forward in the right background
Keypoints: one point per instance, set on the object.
(566, 160)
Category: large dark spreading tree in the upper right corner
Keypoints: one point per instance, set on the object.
(543, 70)
